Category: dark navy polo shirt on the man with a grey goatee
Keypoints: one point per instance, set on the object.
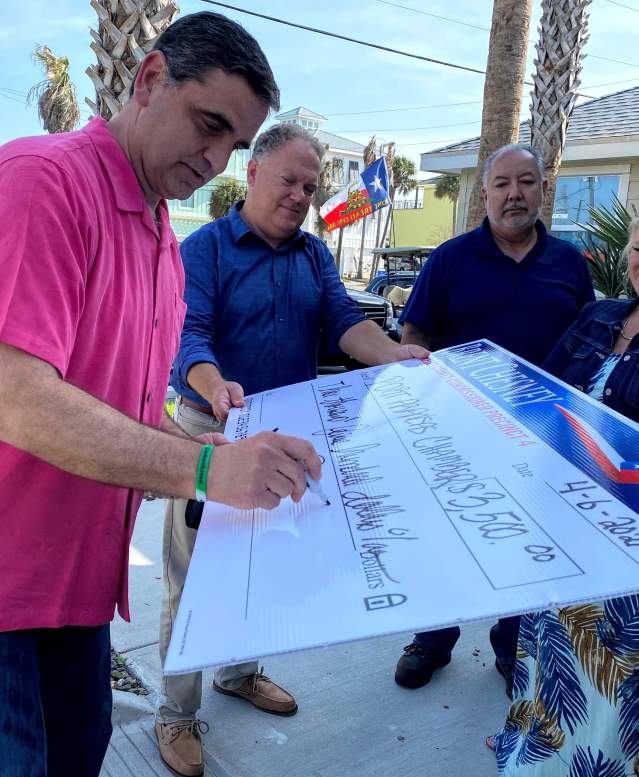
(469, 289)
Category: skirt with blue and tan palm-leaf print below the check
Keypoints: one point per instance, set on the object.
(576, 694)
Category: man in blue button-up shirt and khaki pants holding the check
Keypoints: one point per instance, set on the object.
(258, 291)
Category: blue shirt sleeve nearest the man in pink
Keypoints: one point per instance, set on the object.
(199, 255)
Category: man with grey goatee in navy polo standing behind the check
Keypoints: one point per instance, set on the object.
(510, 282)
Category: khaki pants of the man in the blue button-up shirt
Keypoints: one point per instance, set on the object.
(182, 694)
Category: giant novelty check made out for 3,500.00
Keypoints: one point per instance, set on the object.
(470, 487)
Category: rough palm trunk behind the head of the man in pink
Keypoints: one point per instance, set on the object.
(127, 30)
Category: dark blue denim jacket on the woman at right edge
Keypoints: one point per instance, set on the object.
(579, 354)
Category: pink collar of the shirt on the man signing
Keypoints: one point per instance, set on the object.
(126, 188)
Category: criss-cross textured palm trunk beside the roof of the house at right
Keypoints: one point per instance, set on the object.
(562, 34)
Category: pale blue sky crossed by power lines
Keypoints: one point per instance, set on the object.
(334, 77)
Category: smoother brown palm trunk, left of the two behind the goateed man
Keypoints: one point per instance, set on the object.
(503, 88)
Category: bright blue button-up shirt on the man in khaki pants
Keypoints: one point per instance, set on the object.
(254, 311)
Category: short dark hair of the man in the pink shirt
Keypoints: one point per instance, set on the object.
(204, 41)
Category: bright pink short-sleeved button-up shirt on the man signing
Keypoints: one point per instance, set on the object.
(89, 284)
